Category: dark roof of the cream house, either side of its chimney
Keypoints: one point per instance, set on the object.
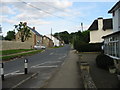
(107, 24)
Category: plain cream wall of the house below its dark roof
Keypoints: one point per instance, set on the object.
(96, 35)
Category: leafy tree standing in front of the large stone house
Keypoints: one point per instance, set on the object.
(23, 30)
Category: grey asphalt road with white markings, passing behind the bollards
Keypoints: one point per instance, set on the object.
(44, 63)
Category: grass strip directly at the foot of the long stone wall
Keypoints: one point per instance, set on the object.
(13, 51)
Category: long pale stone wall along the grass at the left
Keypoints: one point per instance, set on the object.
(6, 45)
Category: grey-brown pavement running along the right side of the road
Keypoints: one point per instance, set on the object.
(68, 75)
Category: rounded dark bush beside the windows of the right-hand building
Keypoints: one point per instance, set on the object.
(104, 61)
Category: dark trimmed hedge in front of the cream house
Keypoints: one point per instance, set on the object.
(88, 47)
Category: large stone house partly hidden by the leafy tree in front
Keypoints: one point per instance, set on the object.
(34, 39)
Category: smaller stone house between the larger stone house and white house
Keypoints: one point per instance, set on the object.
(46, 41)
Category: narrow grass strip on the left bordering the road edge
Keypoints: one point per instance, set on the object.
(5, 58)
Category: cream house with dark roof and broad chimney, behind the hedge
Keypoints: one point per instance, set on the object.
(99, 28)
